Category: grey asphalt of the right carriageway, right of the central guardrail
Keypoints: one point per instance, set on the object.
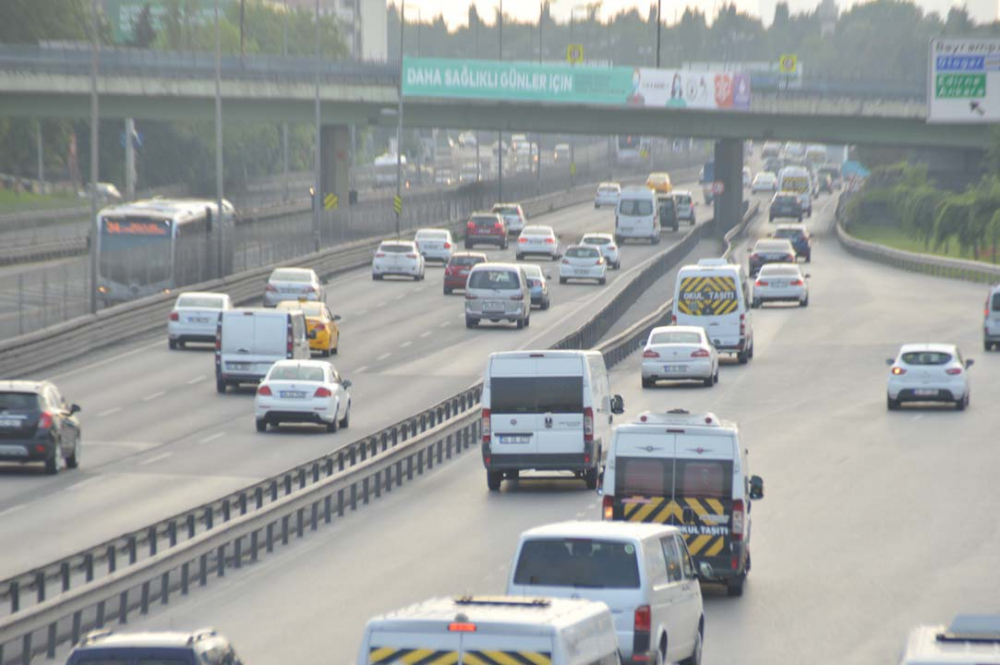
(872, 521)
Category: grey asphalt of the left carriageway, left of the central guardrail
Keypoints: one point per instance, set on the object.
(159, 440)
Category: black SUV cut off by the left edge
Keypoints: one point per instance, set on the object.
(36, 425)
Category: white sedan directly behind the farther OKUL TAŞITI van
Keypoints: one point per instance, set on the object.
(679, 353)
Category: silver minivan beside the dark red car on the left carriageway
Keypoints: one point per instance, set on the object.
(497, 291)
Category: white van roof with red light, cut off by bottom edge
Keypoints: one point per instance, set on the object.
(492, 630)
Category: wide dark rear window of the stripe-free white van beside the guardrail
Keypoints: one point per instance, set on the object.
(531, 394)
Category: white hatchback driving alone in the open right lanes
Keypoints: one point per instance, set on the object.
(928, 373)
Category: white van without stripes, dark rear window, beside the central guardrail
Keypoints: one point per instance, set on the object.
(548, 411)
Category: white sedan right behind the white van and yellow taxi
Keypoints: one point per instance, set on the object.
(303, 391)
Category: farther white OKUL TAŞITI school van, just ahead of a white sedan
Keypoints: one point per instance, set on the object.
(715, 295)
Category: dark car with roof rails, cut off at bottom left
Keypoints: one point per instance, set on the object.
(201, 647)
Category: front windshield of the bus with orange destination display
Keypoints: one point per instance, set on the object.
(136, 250)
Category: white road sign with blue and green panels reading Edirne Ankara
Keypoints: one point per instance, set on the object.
(964, 83)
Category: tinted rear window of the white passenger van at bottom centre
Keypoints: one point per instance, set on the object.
(578, 562)
